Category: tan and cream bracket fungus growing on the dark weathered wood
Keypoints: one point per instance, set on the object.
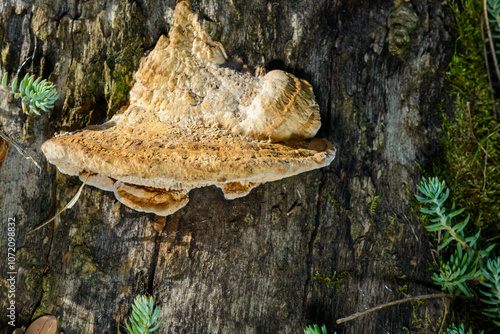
(193, 122)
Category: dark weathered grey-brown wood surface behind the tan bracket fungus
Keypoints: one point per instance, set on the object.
(247, 265)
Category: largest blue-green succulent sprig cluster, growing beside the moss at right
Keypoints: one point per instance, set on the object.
(467, 262)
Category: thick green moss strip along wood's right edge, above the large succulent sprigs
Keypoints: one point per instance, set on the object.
(473, 181)
